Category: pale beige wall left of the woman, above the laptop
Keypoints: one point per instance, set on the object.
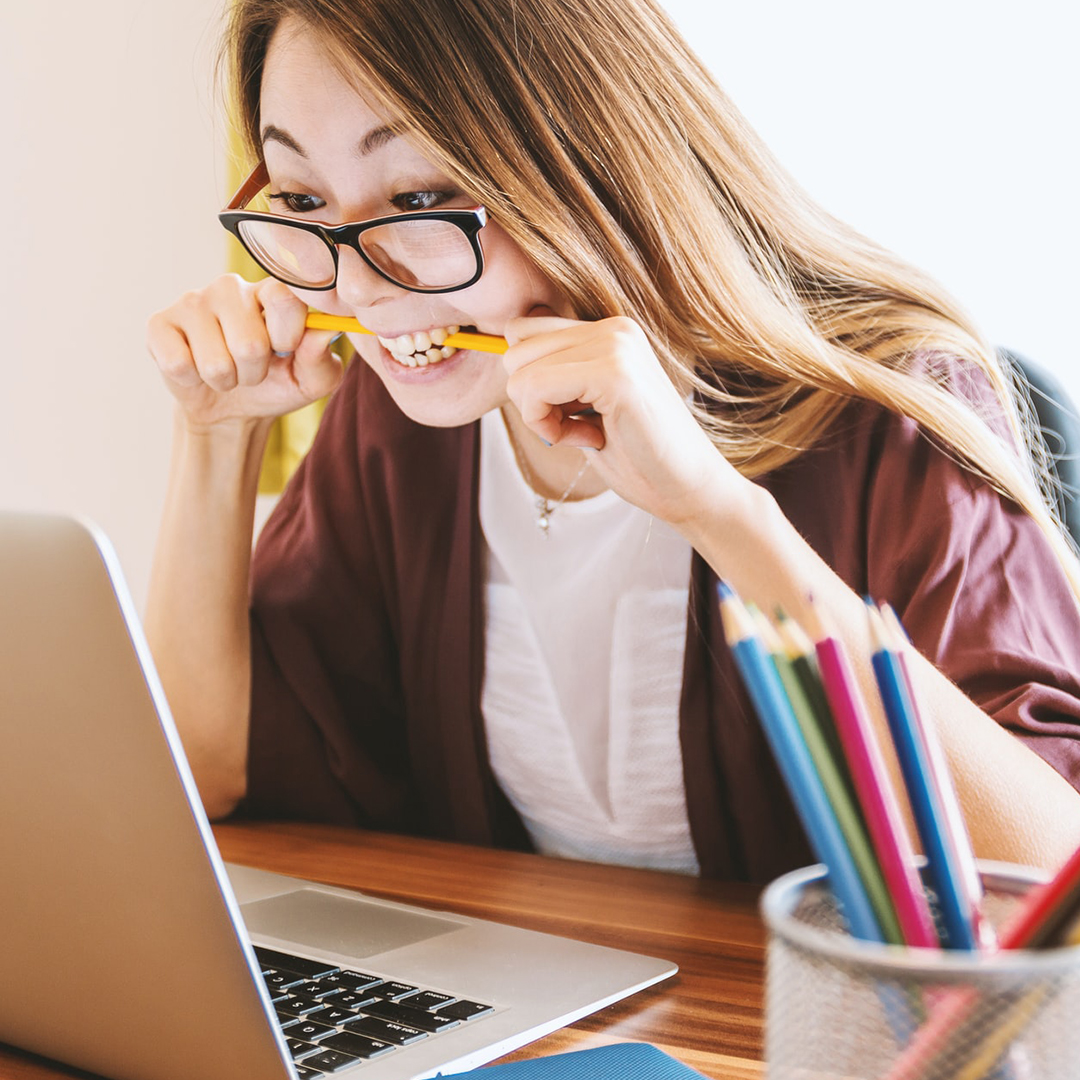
(109, 188)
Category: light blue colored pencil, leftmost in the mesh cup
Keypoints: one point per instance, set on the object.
(793, 759)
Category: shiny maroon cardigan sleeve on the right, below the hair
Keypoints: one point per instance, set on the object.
(976, 583)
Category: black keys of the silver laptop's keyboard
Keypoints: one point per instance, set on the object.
(334, 1018)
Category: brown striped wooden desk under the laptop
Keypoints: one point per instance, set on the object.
(709, 1016)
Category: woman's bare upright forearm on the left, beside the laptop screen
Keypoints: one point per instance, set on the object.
(197, 610)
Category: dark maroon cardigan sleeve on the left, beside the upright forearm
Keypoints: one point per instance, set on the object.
(327, 738)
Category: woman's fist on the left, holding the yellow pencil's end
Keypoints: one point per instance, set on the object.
(237, 353)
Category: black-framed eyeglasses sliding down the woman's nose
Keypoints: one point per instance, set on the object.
(429, 251)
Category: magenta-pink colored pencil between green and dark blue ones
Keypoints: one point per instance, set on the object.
(876, 795)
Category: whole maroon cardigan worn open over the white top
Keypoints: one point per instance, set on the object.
(368, 629)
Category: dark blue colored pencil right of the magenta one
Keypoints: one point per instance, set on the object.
(960, 916)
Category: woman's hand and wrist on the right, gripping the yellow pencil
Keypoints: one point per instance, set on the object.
(647, 445)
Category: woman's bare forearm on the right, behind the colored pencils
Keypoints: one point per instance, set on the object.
(1018, 808)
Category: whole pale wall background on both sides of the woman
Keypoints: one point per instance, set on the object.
(947, 129)
